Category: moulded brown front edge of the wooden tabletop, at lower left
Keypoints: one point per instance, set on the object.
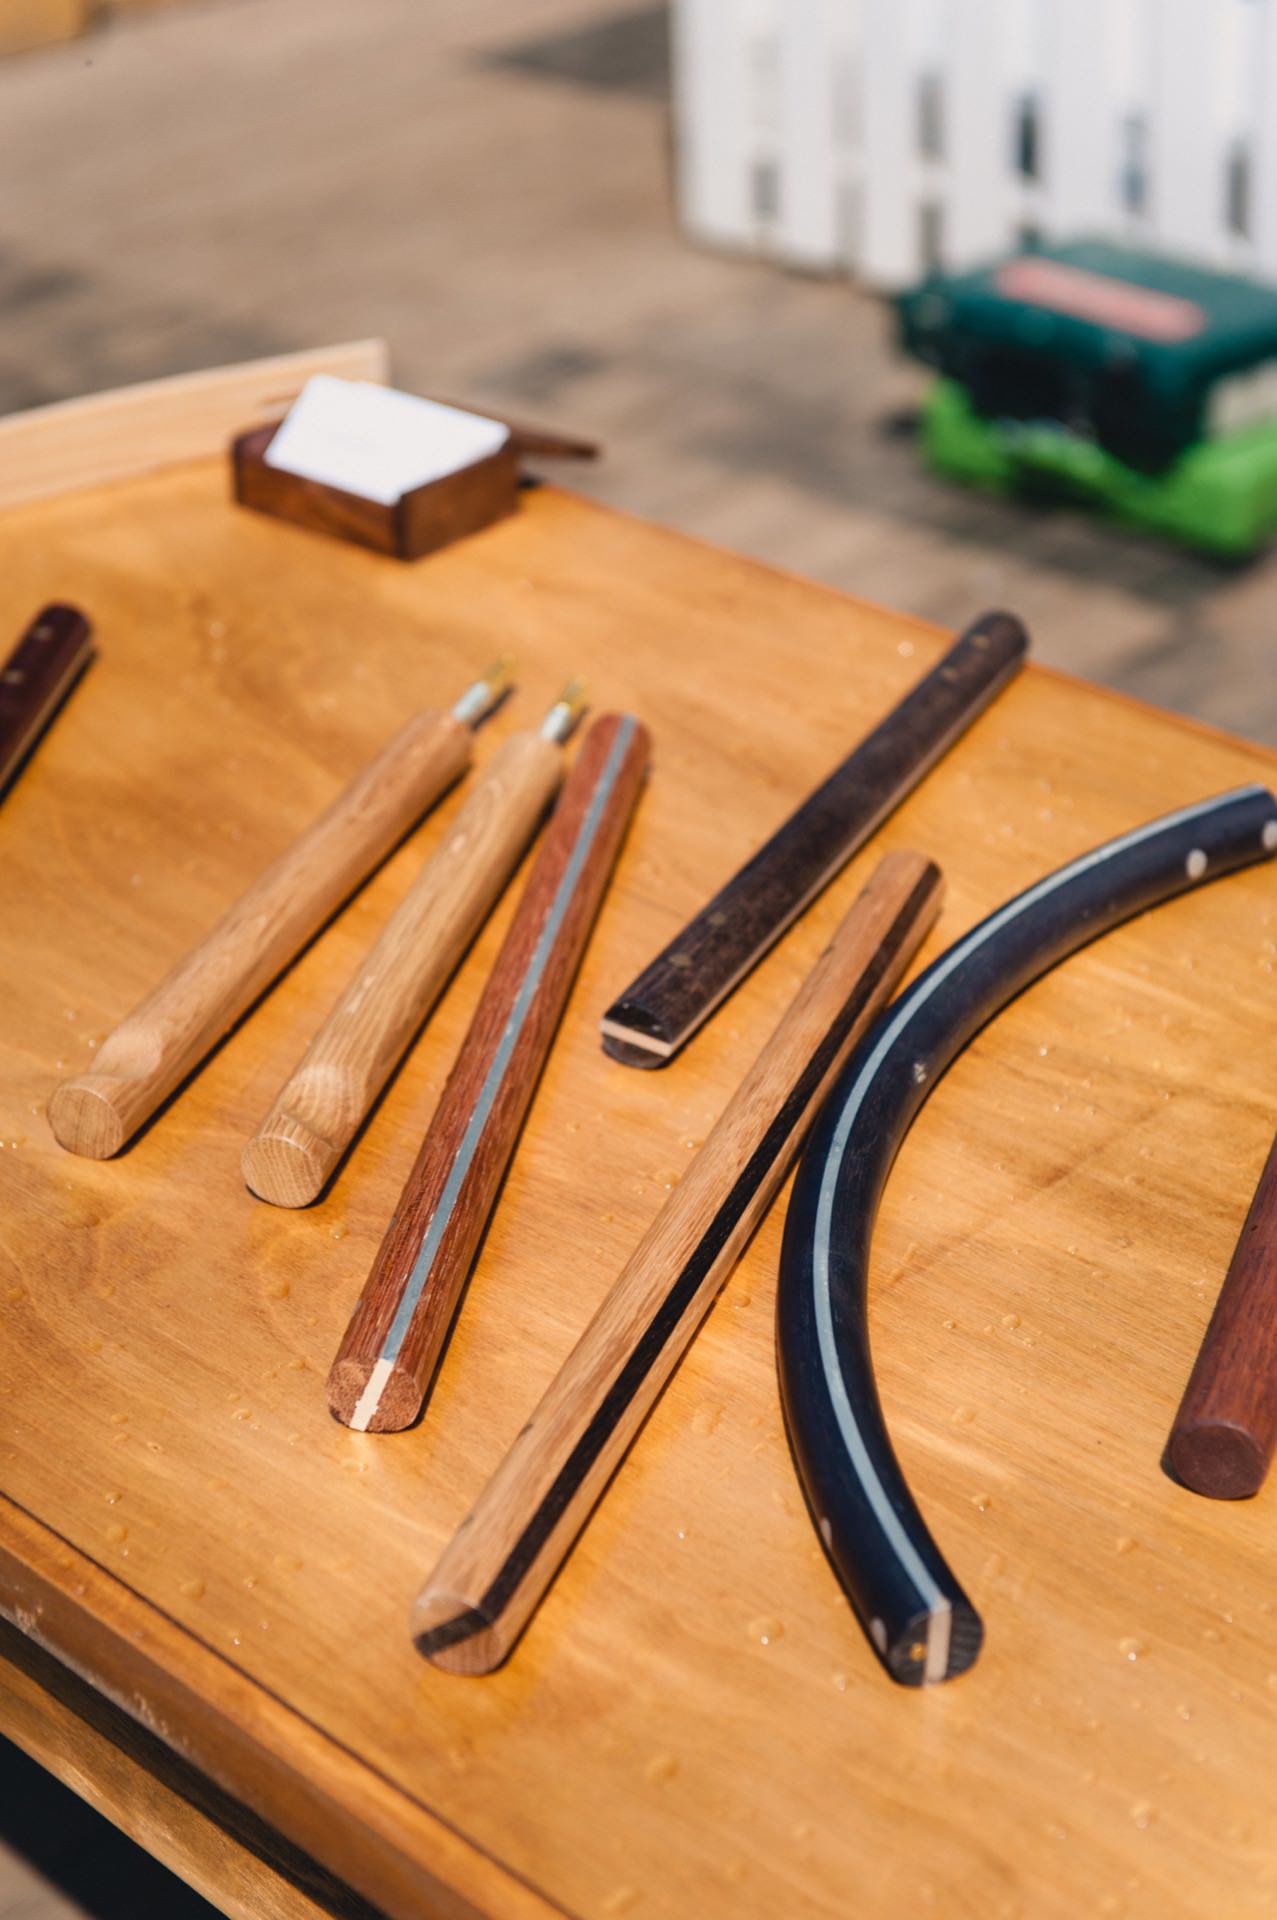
(318, 1794)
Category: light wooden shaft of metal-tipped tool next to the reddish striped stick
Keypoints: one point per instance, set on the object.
(362, 1042)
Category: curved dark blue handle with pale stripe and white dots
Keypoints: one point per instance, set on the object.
(896, 1577)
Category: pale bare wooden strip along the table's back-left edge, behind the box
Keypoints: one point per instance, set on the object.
(145, 429)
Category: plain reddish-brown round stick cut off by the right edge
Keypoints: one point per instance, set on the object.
(1226, 1428)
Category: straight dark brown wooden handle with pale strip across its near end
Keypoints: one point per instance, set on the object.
(679, 992)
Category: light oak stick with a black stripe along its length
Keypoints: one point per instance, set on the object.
(506, 1554)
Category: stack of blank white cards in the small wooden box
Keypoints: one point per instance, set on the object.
(377, 443)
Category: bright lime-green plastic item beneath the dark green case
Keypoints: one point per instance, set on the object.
(1220, 496)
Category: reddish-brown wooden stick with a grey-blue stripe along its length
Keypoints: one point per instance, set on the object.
(398, 1330)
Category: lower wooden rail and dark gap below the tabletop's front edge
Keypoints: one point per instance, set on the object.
(135, 1781)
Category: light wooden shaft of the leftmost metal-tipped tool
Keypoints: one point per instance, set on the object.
(183, 1019)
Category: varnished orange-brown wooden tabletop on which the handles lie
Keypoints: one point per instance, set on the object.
(694, 1723)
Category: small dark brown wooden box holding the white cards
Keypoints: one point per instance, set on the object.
(420, 523)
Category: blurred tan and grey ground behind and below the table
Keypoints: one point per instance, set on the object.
(487, 183)
